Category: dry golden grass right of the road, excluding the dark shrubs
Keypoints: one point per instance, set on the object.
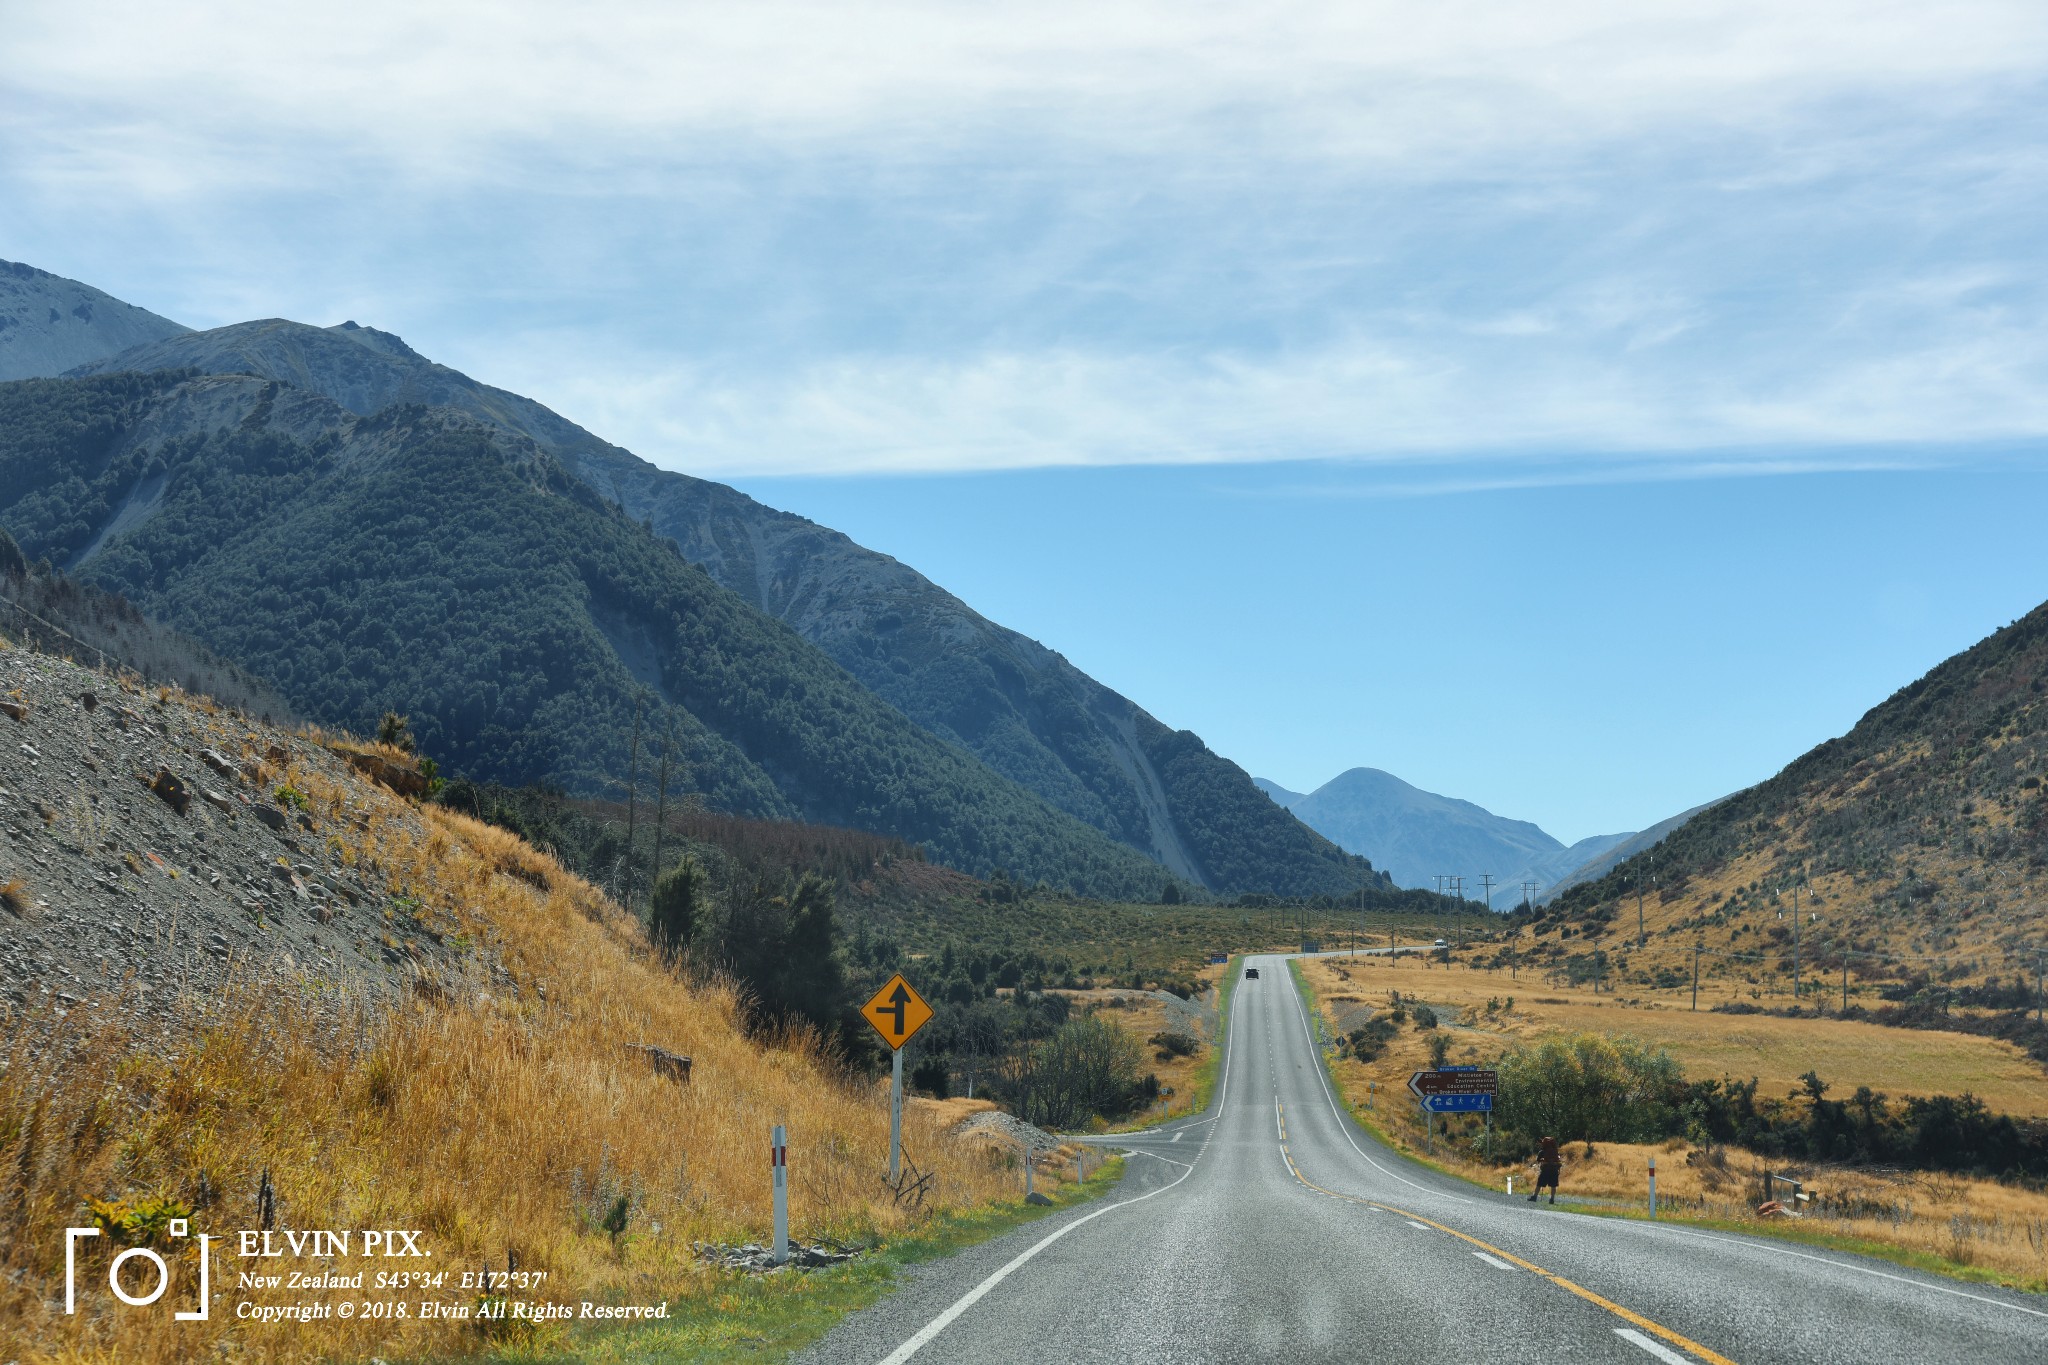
(1965, 1221)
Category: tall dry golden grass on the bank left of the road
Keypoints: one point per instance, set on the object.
(499, 1110)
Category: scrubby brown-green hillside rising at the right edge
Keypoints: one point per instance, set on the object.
(1918, 846)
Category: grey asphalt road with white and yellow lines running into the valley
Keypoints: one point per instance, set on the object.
(1279, 1231)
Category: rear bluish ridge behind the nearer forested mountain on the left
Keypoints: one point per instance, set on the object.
(1013, 703)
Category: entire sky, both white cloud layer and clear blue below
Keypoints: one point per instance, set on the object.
(1576, 408)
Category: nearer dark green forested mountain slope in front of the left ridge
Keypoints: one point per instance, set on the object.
(439, 566)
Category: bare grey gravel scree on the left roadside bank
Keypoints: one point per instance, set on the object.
(146, 852)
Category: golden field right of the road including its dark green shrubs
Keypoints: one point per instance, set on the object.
(1889, 1153)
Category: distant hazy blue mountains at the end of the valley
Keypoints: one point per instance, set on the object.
(1418, 836)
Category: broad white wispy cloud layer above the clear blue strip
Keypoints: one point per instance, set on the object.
(783, 238)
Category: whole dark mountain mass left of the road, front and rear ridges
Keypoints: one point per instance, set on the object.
(1017, 713)
